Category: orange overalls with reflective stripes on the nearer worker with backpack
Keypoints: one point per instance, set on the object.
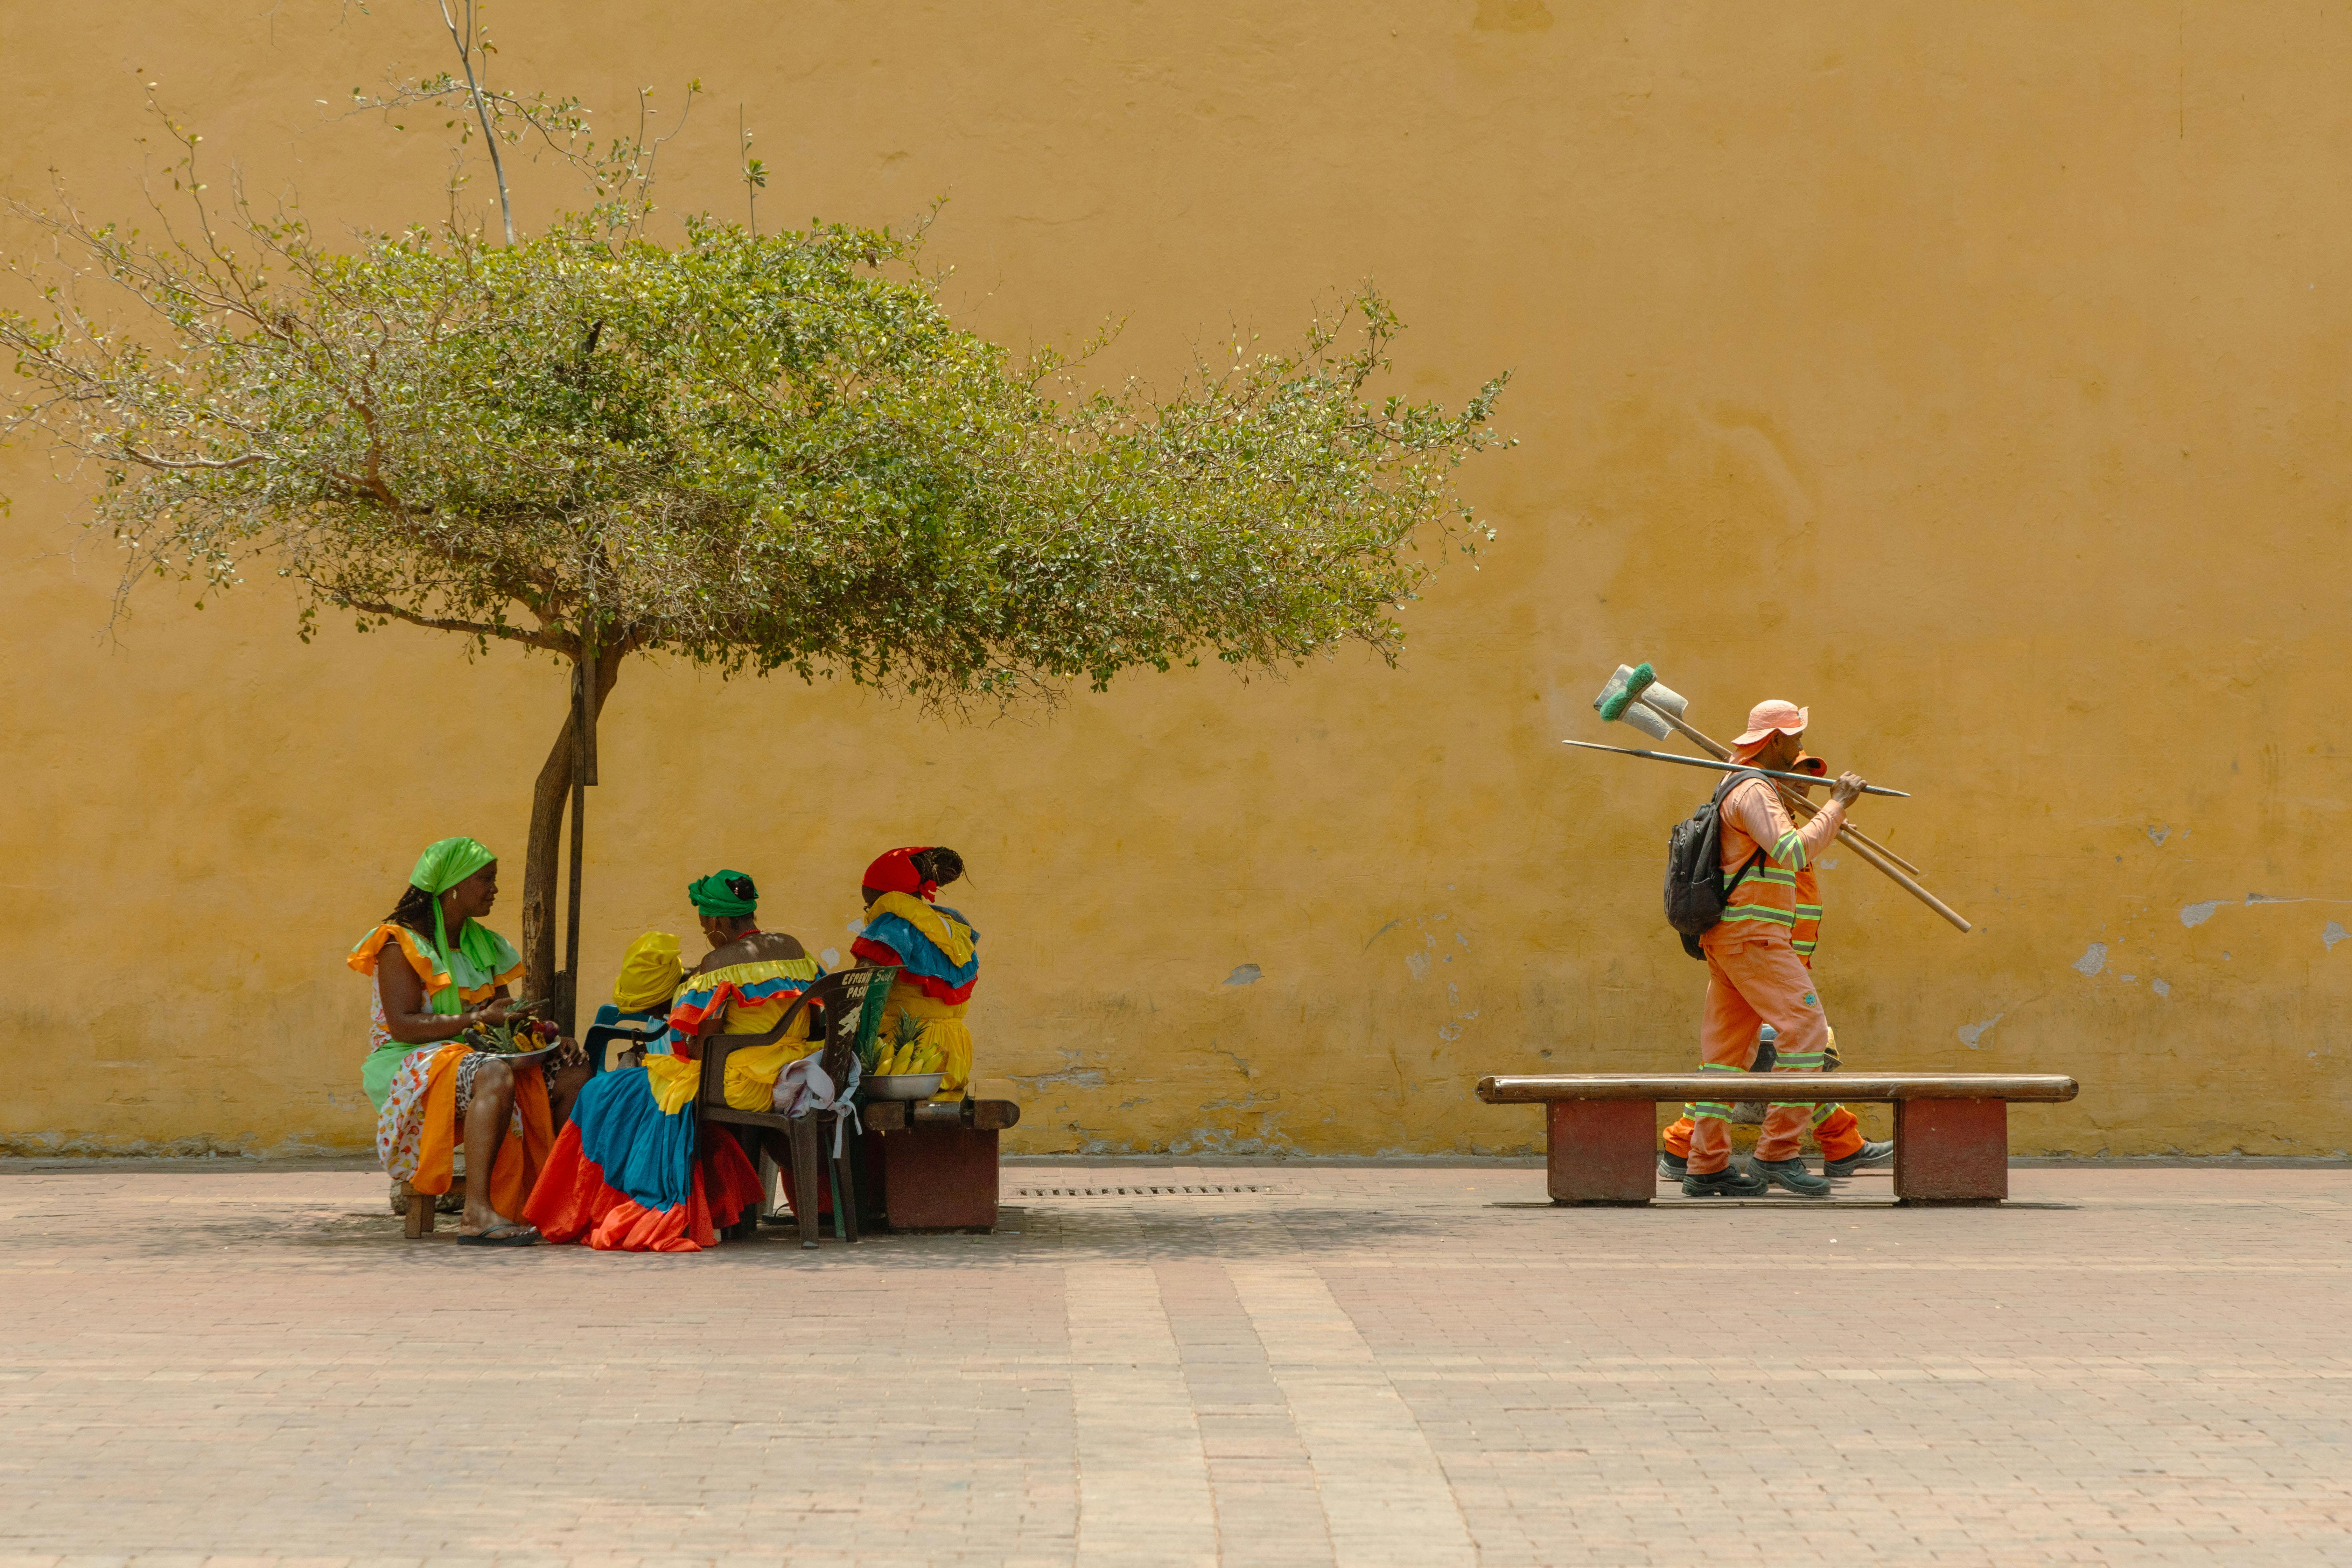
(1756, 974)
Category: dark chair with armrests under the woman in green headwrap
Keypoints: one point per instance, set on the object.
(853, 1017)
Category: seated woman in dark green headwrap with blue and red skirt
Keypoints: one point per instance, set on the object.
(627, 1177)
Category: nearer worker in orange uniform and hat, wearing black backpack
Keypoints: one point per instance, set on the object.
(1753, 970)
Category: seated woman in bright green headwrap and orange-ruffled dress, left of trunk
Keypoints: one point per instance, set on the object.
(439, 972)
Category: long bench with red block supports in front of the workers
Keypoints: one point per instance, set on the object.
(1603, 1127)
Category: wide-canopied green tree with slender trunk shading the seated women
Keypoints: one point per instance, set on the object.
(754, 453)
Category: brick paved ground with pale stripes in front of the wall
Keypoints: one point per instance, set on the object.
(1361, 1367)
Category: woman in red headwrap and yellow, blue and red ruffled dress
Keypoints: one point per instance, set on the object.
(935, 949)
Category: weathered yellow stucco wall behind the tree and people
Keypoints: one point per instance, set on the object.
(1975, 375)
